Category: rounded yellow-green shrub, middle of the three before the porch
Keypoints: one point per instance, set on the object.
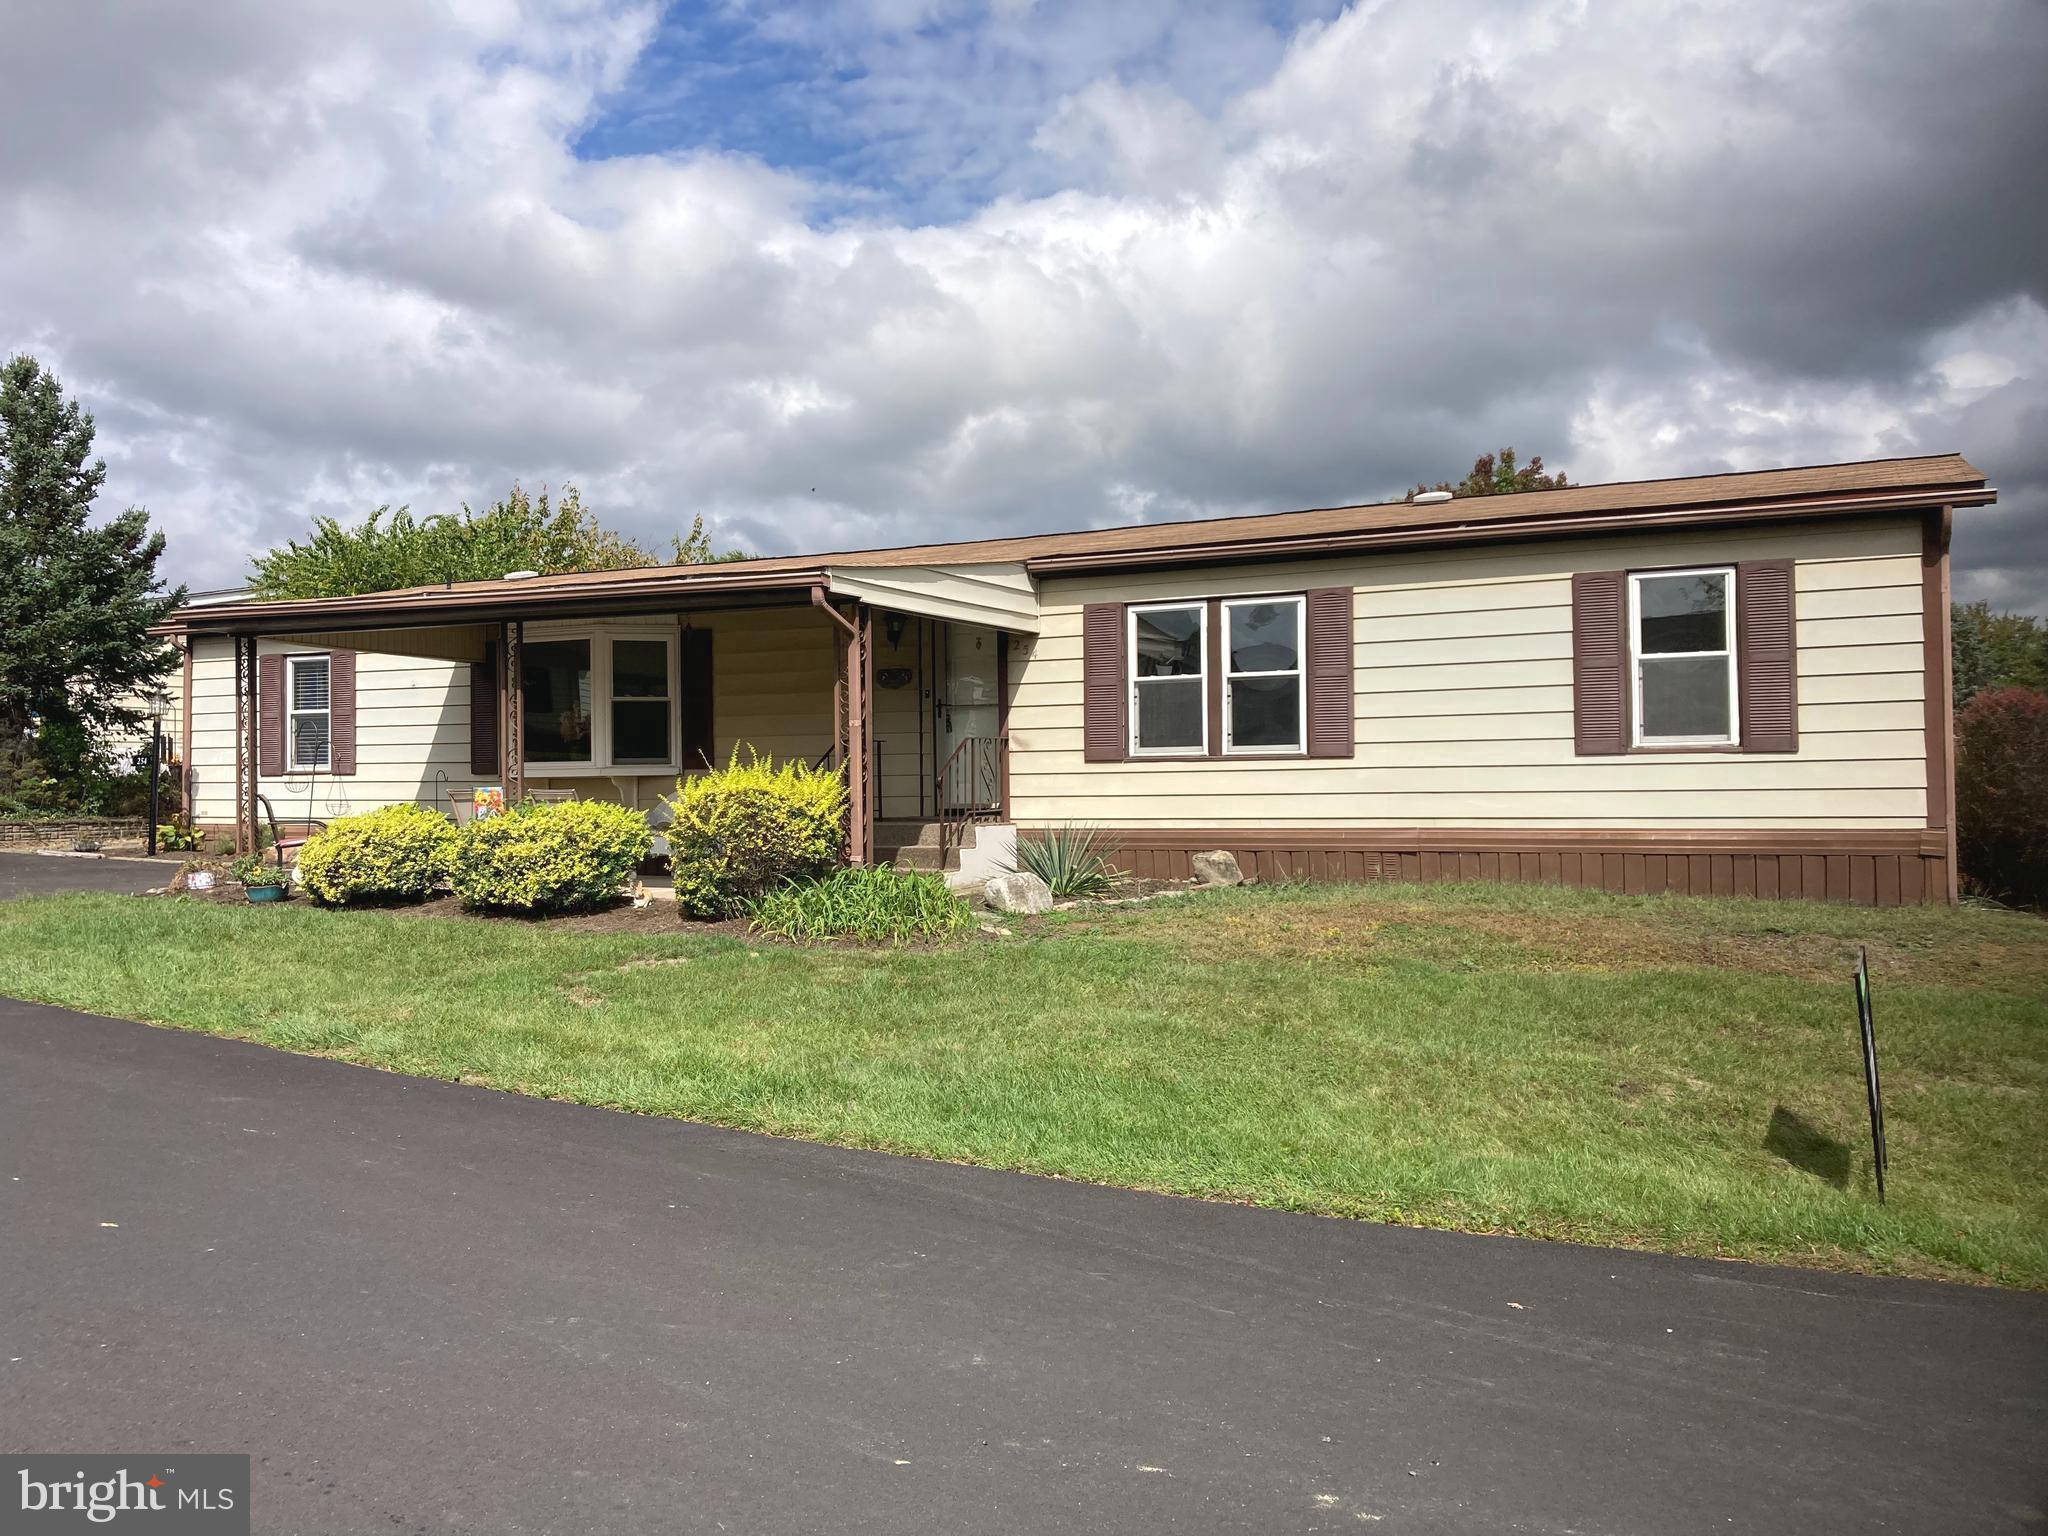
(550, 857)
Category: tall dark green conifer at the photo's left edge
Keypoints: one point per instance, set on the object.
(77, 599)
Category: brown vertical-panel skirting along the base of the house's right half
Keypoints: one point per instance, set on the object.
(1873, 869)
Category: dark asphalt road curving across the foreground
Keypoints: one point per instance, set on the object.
(437, 1308)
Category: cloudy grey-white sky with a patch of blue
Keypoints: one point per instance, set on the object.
(873, 271)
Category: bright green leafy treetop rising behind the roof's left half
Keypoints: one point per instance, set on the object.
(517, 534)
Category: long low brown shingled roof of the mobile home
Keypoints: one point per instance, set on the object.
(1820, 488)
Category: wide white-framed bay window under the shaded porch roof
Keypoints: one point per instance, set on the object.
(599, 699)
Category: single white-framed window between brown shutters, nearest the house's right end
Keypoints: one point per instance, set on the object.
(1682, 640)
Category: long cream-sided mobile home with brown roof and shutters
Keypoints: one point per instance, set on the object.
(1730, 683)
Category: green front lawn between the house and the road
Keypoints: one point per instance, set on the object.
(1648, 1072)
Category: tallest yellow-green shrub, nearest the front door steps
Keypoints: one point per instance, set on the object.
(746, 828)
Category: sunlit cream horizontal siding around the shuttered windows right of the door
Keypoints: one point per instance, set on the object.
(1463, 685)
